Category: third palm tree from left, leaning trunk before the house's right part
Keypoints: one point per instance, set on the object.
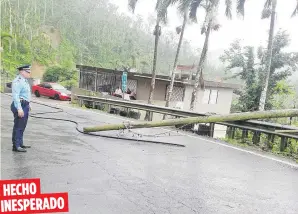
(210, 23)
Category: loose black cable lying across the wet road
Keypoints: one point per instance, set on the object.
(60, 110)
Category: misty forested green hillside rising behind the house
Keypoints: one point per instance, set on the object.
(65, 33)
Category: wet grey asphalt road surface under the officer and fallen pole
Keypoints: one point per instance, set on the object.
(113, 176)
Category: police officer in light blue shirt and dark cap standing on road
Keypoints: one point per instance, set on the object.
(20, 107)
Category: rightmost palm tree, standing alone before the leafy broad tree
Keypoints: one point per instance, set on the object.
(269, 10)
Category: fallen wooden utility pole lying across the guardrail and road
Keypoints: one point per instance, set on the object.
(201, 119)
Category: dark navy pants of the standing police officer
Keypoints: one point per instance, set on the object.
(20, 124)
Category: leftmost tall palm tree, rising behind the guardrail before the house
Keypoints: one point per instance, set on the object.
(161, 17)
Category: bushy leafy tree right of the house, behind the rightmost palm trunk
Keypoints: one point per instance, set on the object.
(242, 62)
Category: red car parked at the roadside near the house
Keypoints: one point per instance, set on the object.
(52, 90)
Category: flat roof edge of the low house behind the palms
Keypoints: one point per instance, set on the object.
(208, 83)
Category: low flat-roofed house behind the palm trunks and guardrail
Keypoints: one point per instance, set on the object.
(216, 98)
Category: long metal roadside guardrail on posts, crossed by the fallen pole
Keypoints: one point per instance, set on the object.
(254, 126)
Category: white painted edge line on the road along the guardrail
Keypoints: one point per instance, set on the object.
(188, 135)
